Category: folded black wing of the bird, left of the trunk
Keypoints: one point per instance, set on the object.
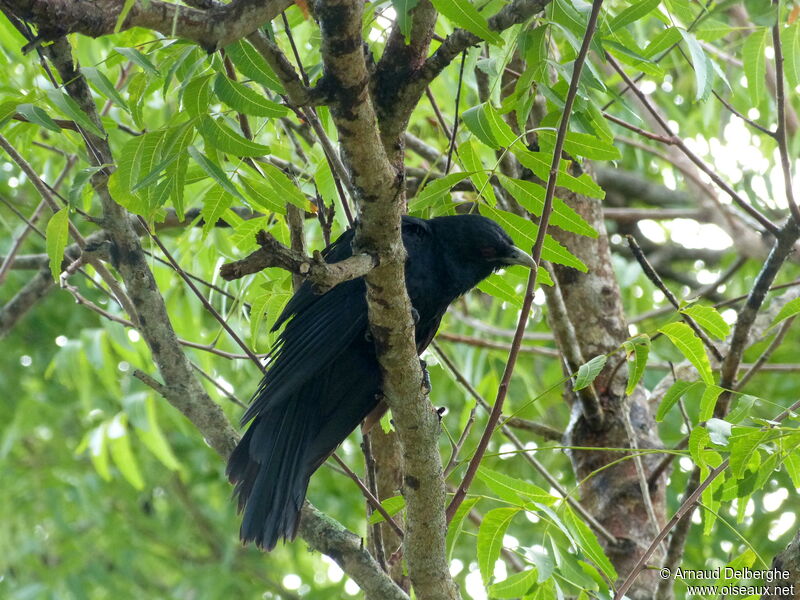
(317, 332)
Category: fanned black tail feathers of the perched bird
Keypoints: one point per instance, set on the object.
(270, 474)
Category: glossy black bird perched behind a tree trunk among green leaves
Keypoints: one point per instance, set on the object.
(324, 377)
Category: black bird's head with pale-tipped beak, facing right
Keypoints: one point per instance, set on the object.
(477, 245)
